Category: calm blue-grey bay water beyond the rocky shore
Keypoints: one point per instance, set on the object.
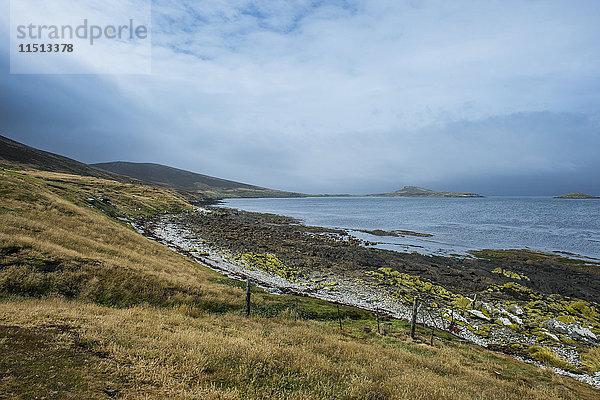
(457, 225)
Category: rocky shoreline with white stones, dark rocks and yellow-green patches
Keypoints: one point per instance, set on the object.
(508, 301)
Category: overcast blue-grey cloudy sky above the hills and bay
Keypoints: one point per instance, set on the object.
(495, 97)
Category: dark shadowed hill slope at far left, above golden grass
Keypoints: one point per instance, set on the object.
(13, 153)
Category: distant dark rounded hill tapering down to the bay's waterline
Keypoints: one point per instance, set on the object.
(190, 181)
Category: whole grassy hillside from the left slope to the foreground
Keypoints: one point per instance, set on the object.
(91, 309)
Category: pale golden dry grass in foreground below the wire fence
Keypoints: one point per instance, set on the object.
(166, 353)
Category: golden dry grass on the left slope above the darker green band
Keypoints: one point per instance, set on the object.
(45, 224)
